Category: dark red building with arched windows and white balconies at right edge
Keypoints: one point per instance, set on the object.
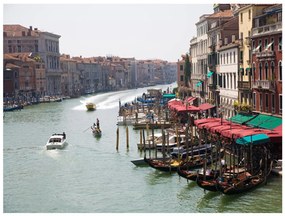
(266, 42)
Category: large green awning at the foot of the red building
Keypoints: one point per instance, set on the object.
(265, 121)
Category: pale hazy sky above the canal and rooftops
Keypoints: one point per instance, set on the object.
(143, 31)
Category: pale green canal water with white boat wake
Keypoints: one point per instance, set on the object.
(90, 176)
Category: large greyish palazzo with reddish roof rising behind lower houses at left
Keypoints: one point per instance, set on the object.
(19, 39)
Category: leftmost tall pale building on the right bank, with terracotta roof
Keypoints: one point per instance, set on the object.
(201, 69)
